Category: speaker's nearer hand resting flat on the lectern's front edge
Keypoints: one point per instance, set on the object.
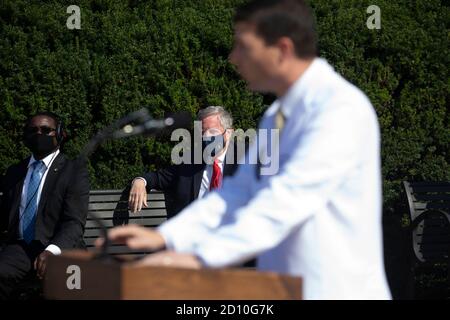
(170, 259)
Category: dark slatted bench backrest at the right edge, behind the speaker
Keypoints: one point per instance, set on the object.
(429, 206)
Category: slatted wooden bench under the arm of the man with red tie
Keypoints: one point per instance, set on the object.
(111, 207)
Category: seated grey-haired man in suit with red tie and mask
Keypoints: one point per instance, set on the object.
(184, 183)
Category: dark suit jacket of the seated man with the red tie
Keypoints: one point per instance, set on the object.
(181, 183)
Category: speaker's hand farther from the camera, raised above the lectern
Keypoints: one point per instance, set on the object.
(135, 237)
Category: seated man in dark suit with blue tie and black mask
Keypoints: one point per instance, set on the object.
(43, 206)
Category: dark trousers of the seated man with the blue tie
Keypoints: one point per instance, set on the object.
(16, 262)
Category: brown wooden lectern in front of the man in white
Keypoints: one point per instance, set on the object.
(113, 281)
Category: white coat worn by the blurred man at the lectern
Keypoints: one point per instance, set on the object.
(319, 217)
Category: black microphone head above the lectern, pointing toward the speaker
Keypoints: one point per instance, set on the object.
(153, 126)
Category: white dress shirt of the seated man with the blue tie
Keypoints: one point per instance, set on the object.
(48, 160)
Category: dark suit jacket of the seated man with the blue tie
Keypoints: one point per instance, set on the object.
(63, 206)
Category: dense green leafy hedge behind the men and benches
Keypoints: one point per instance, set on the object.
(172, 55)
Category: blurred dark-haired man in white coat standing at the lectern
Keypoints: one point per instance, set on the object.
(319, 215)
